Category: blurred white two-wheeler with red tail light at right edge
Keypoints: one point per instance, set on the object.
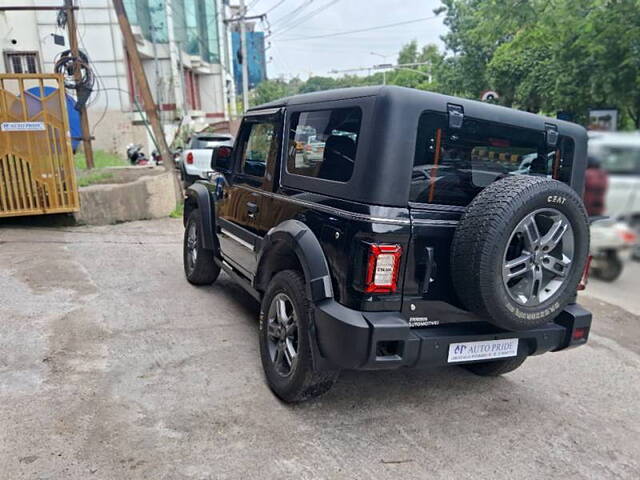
(609, 238)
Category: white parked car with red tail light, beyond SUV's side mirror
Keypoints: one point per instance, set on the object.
(195, 160)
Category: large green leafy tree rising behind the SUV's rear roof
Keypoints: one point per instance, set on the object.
(545, 55)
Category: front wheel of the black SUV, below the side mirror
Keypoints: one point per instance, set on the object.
(199, 265)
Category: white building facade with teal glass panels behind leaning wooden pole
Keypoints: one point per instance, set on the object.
(184, 49)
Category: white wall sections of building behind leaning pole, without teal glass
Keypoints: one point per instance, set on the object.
(113, 118)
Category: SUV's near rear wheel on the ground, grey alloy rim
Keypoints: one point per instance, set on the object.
(285, 349)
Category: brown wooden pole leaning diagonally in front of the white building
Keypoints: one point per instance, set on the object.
(142, 83)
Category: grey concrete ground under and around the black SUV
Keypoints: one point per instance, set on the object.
(113, 367)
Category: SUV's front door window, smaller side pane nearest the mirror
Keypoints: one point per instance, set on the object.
(259, 149)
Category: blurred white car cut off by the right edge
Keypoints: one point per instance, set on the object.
(619, 154)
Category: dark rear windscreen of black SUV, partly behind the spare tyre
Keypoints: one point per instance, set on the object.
(452, 165)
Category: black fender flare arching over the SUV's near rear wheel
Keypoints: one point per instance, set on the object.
(302, 241)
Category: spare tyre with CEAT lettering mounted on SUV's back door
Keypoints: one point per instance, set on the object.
(519, 251)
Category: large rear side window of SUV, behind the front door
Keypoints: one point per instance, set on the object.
(323, 143)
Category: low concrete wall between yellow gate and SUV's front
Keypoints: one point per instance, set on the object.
(145, 198)
